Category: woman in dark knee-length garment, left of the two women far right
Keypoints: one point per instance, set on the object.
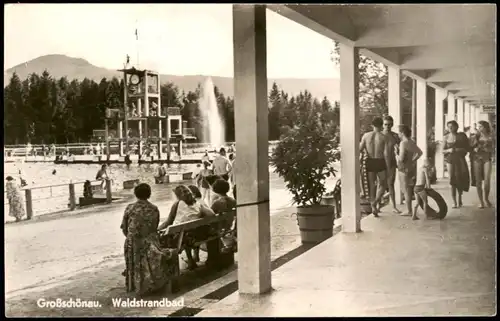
(456, 146)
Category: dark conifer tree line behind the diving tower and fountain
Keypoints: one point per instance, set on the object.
(43, 110)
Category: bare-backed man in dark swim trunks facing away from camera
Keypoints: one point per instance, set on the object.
(376, 146)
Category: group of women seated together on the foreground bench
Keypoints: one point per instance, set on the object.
(148, 251)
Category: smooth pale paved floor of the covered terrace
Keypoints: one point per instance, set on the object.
(395, 267)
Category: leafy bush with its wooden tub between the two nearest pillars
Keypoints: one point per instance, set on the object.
(304, 158)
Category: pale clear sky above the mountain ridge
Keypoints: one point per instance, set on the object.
(179, 39)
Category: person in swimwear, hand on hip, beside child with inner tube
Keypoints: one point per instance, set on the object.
(408, 154)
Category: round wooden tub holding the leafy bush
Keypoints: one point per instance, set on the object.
(315, 223)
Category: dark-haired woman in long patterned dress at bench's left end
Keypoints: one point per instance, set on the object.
(147, 269)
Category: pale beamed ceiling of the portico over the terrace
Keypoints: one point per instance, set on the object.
(452, 46)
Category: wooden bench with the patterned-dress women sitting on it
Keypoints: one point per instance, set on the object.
(219, 222)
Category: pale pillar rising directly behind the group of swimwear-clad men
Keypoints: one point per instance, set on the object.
(394, 100)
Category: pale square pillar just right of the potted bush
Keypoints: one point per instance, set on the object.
(349, 138)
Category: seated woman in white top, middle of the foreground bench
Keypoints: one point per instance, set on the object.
(186, 209)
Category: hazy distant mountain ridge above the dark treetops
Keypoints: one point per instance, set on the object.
(76, 68)
